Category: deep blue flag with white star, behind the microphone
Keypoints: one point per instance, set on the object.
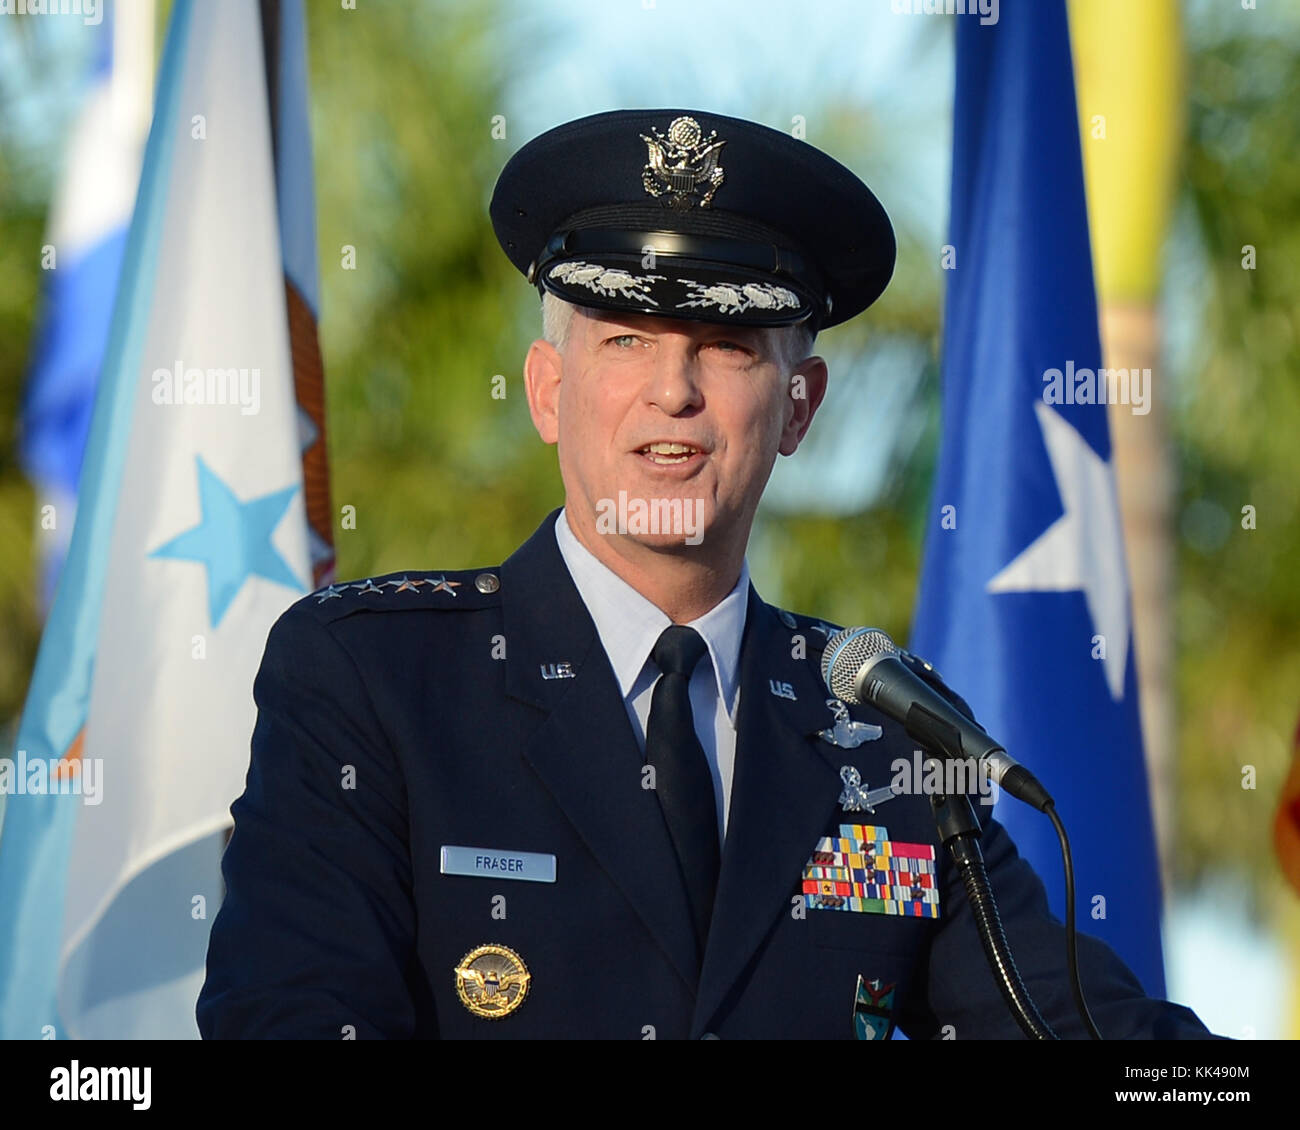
(1024, 603)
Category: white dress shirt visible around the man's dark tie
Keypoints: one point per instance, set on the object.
(630, 626)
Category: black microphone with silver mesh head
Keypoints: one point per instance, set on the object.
(863, 666)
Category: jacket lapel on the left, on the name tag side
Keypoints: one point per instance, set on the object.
(586, 751)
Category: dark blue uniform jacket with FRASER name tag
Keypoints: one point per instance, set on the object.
(398, 718)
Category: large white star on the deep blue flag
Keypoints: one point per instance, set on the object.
(1084, 549)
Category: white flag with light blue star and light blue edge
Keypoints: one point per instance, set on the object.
(193, 535)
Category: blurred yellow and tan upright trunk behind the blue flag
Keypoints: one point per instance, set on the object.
(1129, 76)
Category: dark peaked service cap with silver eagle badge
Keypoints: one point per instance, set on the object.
(694, 215)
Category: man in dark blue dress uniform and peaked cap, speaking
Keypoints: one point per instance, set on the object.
(601, 790)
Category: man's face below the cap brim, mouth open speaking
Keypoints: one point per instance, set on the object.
(723, 399)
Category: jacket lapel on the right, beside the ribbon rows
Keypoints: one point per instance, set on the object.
(785, 793)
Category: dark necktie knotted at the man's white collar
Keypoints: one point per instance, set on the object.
(683, 781)
